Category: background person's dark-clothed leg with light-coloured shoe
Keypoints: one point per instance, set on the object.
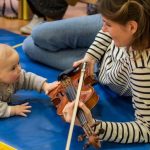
(43, 9)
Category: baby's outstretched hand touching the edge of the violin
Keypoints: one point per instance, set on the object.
(47, 87)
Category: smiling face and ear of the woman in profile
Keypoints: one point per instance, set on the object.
(121, 34)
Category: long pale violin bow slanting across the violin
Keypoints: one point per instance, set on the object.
(75, 106)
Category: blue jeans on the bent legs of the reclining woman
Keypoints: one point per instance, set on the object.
(59, 43)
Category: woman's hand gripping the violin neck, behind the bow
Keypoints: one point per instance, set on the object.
(68, 111)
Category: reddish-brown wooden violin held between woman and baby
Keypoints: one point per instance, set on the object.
(66, 92)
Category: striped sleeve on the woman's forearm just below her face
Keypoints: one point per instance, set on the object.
(100, 45)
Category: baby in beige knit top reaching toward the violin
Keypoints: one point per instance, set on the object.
(13, 78)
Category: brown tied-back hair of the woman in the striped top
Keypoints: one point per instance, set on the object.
(122, 11)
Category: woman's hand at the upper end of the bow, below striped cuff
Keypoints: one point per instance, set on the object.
(90, 63)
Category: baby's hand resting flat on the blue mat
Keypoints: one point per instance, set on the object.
(20, 110)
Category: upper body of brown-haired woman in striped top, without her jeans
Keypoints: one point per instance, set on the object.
(123, 49)
